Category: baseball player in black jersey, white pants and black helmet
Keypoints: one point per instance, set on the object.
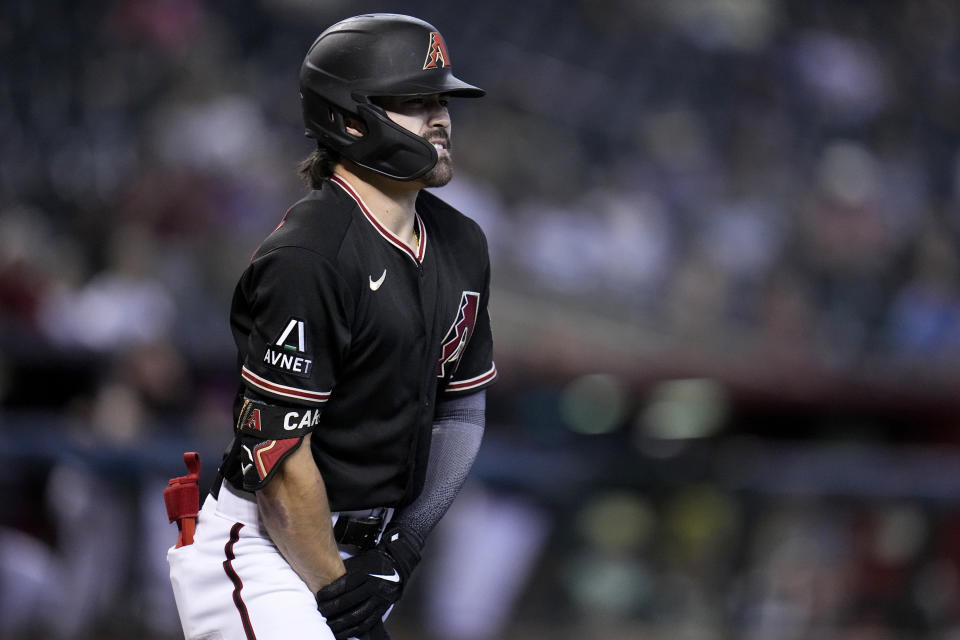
(364, 351)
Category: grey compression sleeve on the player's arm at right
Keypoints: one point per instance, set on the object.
(457, 432)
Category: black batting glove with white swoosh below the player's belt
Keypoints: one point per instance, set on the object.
(354, 603)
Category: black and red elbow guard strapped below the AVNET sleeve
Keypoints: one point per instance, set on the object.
(267, 434)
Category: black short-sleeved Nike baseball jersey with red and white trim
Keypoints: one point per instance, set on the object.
(355, 335)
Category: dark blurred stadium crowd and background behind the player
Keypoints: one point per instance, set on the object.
(755, 180)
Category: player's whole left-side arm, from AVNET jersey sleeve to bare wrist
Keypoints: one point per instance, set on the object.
(291, 310)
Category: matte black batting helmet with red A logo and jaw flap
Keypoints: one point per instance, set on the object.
(380, 54)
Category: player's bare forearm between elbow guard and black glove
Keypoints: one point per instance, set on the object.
(296, 513)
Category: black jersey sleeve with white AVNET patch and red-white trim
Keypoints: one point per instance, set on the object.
(298, 332)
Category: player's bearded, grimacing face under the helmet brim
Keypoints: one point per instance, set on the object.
(428, 117)
